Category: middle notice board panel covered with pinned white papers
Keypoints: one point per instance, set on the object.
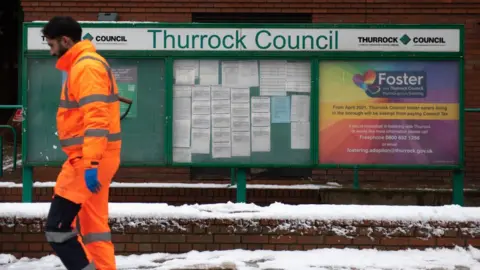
(241, 112)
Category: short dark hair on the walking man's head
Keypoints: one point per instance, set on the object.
(60, 26)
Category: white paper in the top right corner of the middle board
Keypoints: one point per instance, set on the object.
(298, 77)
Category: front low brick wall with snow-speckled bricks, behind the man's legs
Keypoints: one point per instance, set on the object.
(24, 237)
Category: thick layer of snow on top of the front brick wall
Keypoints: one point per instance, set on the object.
(280, 211)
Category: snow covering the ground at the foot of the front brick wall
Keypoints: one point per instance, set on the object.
(319, 259)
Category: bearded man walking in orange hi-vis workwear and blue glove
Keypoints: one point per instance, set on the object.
(88, 125)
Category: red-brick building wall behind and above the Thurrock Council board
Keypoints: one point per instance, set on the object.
(326, 11)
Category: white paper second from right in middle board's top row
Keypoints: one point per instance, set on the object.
(273, 75)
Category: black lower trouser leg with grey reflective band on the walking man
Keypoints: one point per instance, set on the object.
(63, 238)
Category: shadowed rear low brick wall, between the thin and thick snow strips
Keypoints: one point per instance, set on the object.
(181, 196)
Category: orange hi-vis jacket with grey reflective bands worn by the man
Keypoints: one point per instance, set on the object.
(88, 117)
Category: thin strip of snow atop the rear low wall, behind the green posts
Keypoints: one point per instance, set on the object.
(185, 185)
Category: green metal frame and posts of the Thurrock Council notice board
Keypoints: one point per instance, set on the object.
(314, 56)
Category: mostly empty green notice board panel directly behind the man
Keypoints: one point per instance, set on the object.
(143, 81)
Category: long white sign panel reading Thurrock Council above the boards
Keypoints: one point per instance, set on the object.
(264, 39)
